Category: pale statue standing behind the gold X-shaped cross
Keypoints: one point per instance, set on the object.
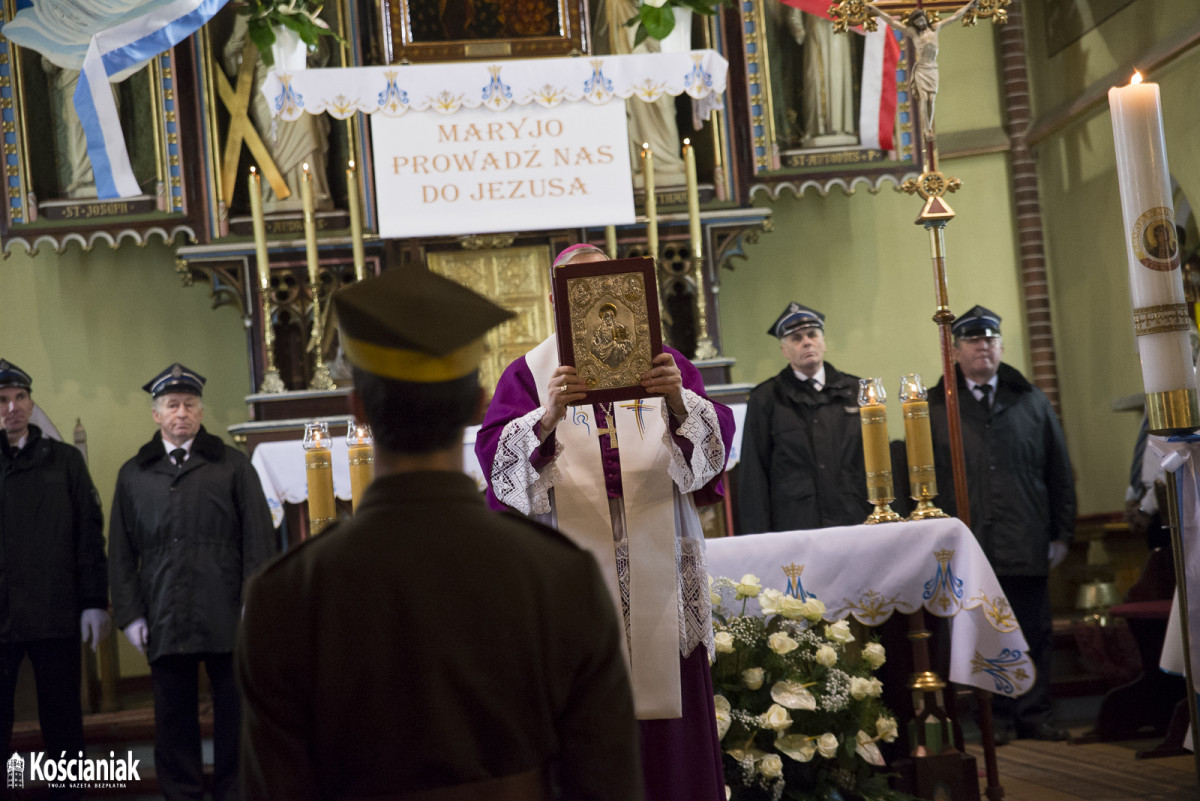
(293, 144)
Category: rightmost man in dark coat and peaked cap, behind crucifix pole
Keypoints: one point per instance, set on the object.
(1022, 495)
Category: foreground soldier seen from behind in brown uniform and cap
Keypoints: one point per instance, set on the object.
(430, 648)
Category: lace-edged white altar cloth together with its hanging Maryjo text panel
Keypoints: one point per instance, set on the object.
(488, 147)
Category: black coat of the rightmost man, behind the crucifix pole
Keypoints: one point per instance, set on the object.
(1019, 481)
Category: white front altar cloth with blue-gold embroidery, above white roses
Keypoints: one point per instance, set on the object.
(872, 571)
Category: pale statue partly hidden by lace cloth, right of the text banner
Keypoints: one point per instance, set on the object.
(652, 124)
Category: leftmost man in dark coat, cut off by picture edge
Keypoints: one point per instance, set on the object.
(53, 575)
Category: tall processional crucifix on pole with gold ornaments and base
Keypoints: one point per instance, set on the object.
(919, 22)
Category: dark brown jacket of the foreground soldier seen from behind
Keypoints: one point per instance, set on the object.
(431, 643)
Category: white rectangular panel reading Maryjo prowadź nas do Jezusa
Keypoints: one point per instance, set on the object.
(483, 172)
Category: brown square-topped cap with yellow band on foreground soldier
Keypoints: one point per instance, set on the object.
(415, 326)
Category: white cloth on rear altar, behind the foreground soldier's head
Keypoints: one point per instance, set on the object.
(281, 471)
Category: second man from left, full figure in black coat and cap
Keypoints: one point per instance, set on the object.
(190, 525)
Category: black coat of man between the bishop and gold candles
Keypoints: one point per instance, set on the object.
(802, 456)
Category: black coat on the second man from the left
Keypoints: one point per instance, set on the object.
(182, 543)
